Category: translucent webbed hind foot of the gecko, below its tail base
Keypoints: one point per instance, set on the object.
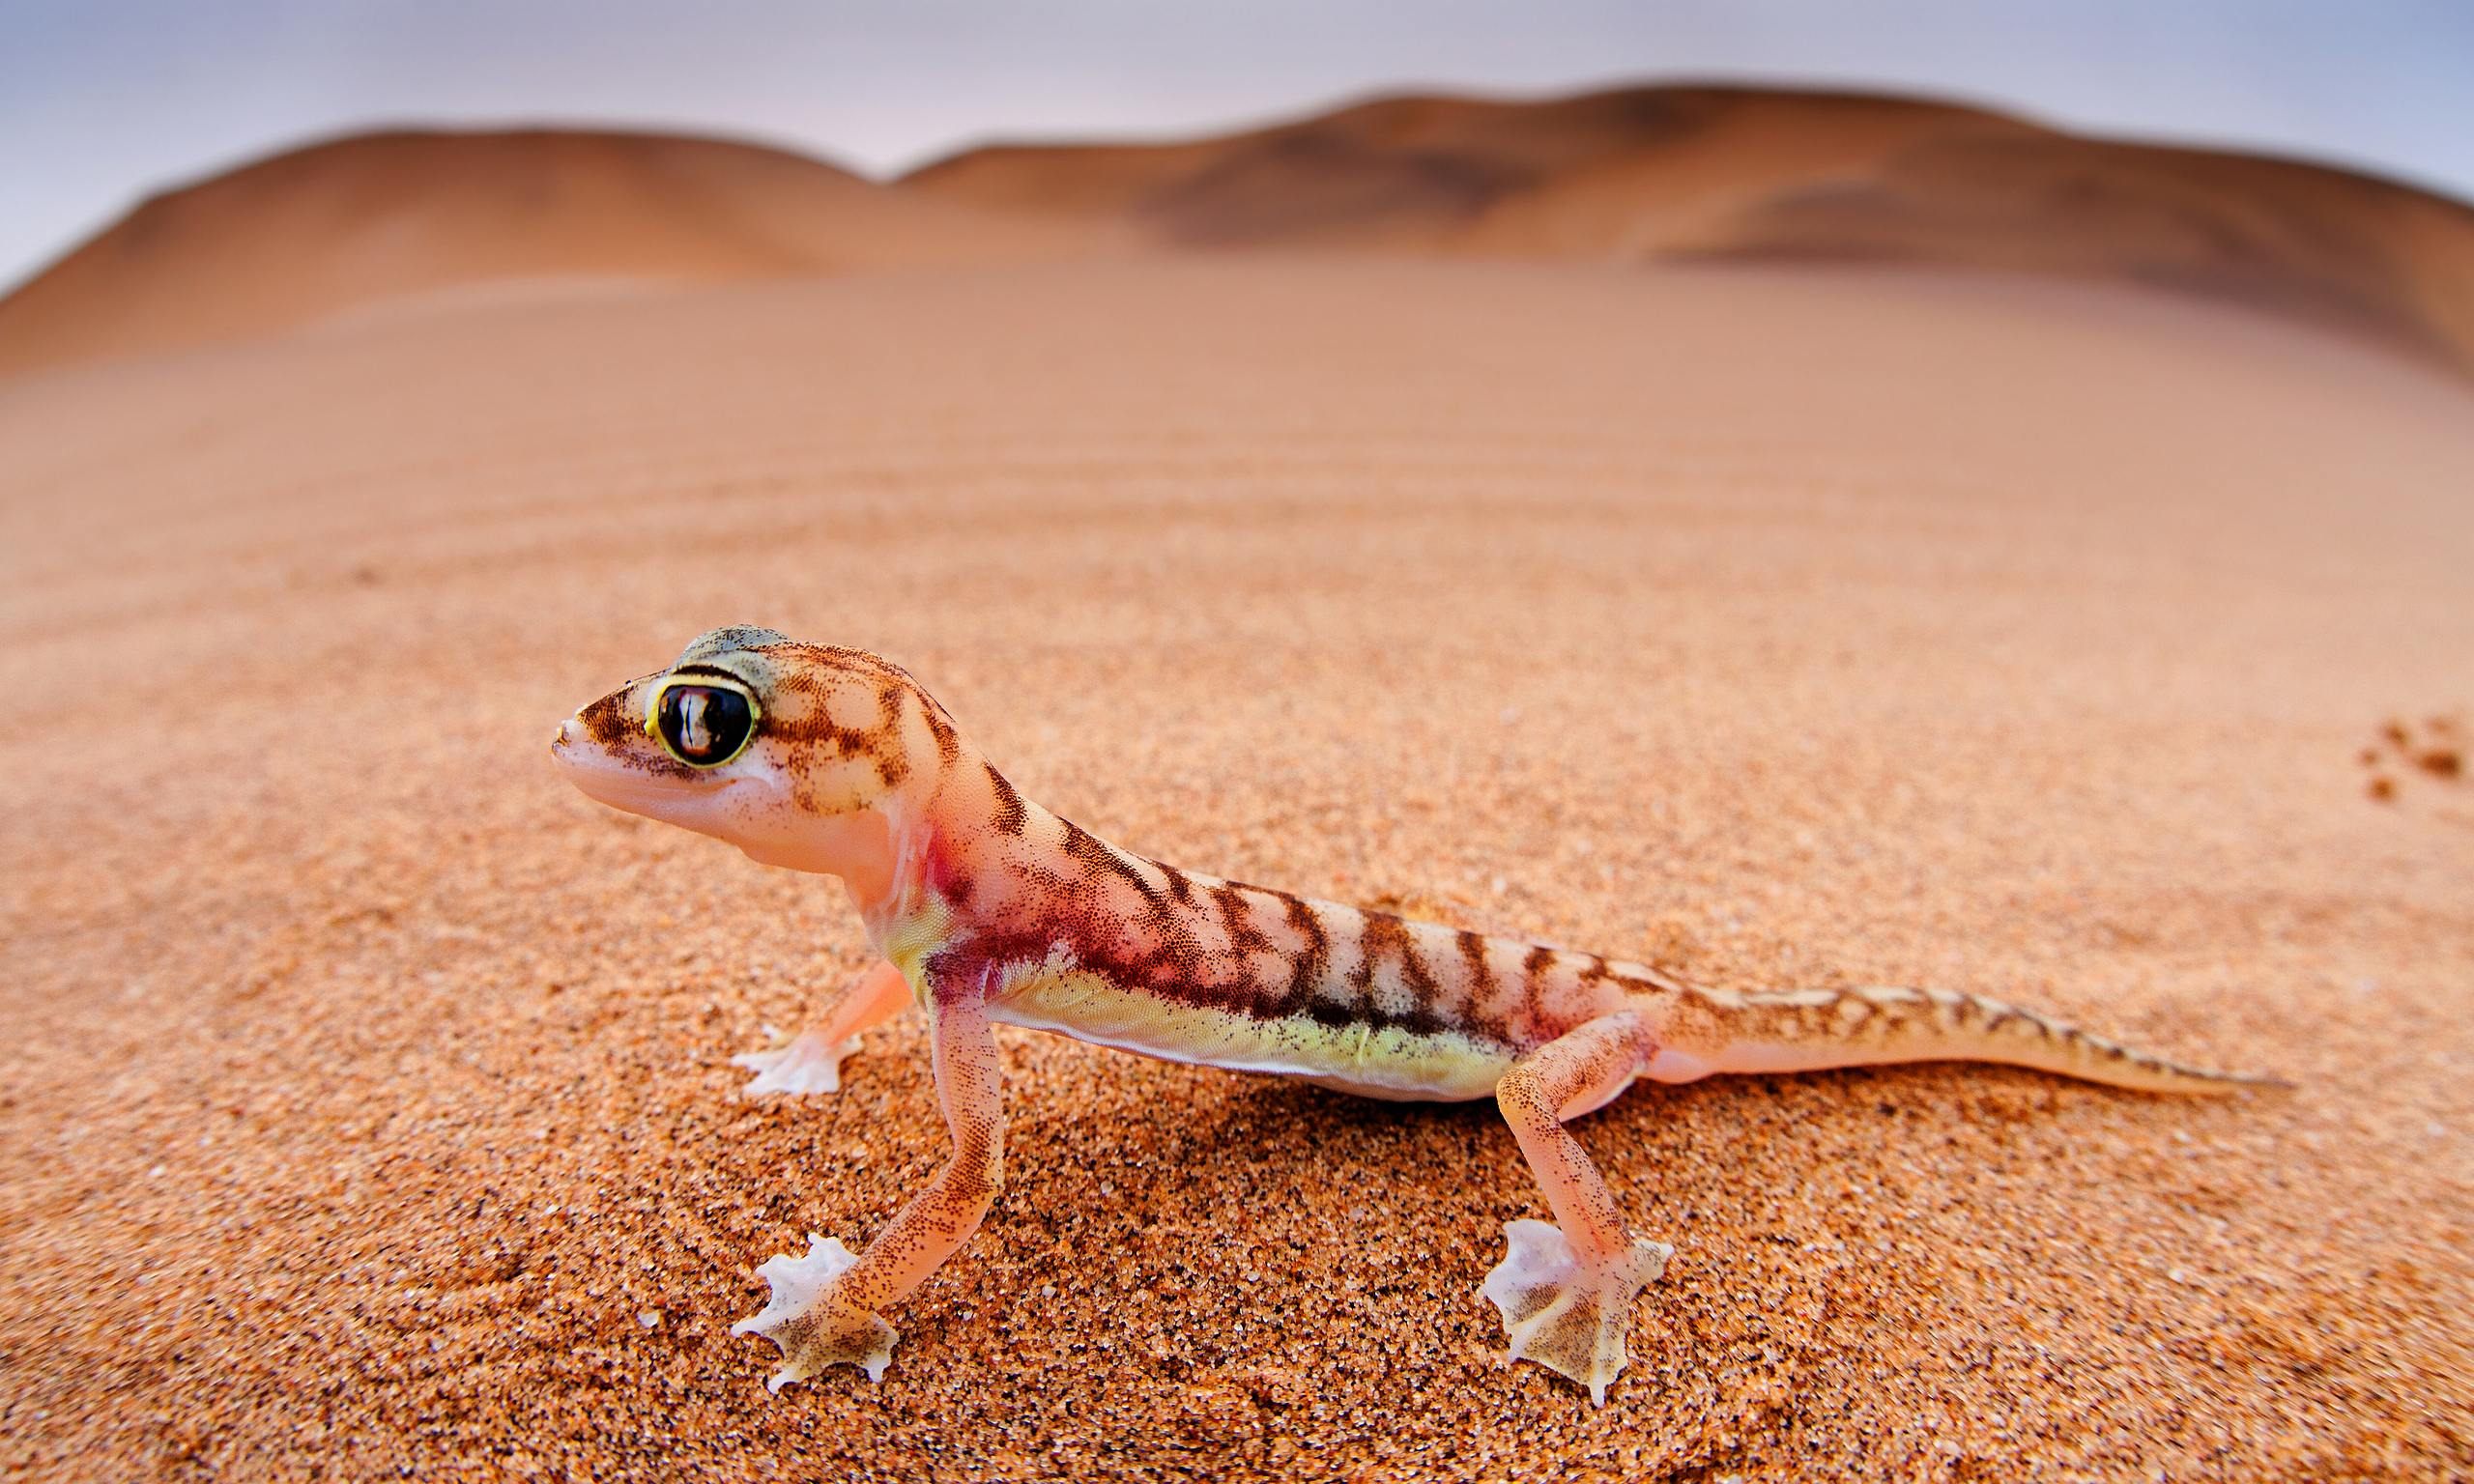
(1570, 1315)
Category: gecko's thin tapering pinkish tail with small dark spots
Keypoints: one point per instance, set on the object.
(1810, 1030)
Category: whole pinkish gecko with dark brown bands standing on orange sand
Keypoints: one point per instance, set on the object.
(983, 909)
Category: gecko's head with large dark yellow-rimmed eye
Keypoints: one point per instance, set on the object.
(773, 746)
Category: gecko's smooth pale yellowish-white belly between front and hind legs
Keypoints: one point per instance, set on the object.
(1377, 1062)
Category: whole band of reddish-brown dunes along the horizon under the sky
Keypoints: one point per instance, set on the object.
(1641, 174)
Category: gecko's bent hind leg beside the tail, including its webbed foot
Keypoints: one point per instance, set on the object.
(1567, 1287)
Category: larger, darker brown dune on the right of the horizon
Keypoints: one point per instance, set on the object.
(1703, 172)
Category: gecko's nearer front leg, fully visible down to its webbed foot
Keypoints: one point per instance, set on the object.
(825, 1302)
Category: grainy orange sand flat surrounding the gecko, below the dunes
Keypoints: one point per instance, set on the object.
(365, 1097)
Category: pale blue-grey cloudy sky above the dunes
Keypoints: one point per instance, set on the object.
(105, 103)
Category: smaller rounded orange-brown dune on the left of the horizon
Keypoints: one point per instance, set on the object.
(404, 216)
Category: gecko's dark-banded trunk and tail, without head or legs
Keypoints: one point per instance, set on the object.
(1092, 941)
